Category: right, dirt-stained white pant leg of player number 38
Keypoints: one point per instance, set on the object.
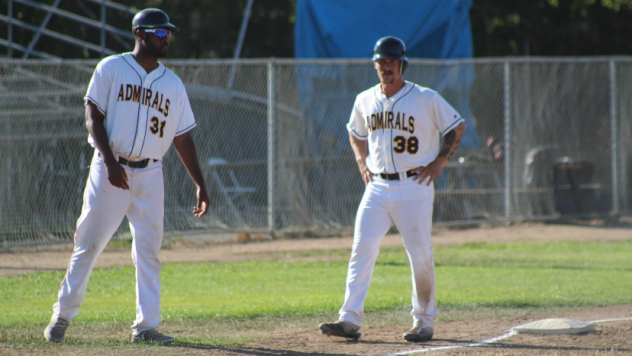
(413, 218)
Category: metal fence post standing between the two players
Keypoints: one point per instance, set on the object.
(271, 150)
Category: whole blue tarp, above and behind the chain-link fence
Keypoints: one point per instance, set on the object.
(437, 29)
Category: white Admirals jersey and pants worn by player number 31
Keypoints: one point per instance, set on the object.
(143, 113)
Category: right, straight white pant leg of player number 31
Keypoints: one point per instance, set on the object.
(146, 216)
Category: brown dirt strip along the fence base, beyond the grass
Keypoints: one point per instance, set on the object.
(14, 263)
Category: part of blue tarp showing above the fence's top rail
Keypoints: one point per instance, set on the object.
(350, 28)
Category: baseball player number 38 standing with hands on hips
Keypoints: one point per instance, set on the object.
(401, 123)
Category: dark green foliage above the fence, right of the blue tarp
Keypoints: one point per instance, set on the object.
(551, 27)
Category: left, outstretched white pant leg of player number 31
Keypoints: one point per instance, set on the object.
(104, 207)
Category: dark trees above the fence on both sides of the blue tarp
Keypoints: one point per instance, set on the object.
(210, 28)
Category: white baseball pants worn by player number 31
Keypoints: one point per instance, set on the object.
(104, 207)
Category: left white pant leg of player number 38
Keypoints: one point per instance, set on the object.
(372, 223)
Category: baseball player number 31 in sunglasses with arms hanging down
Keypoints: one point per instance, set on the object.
(135, 109)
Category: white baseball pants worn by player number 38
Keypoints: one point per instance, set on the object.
(409, 206)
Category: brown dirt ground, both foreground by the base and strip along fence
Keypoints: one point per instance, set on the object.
(610, 338)
